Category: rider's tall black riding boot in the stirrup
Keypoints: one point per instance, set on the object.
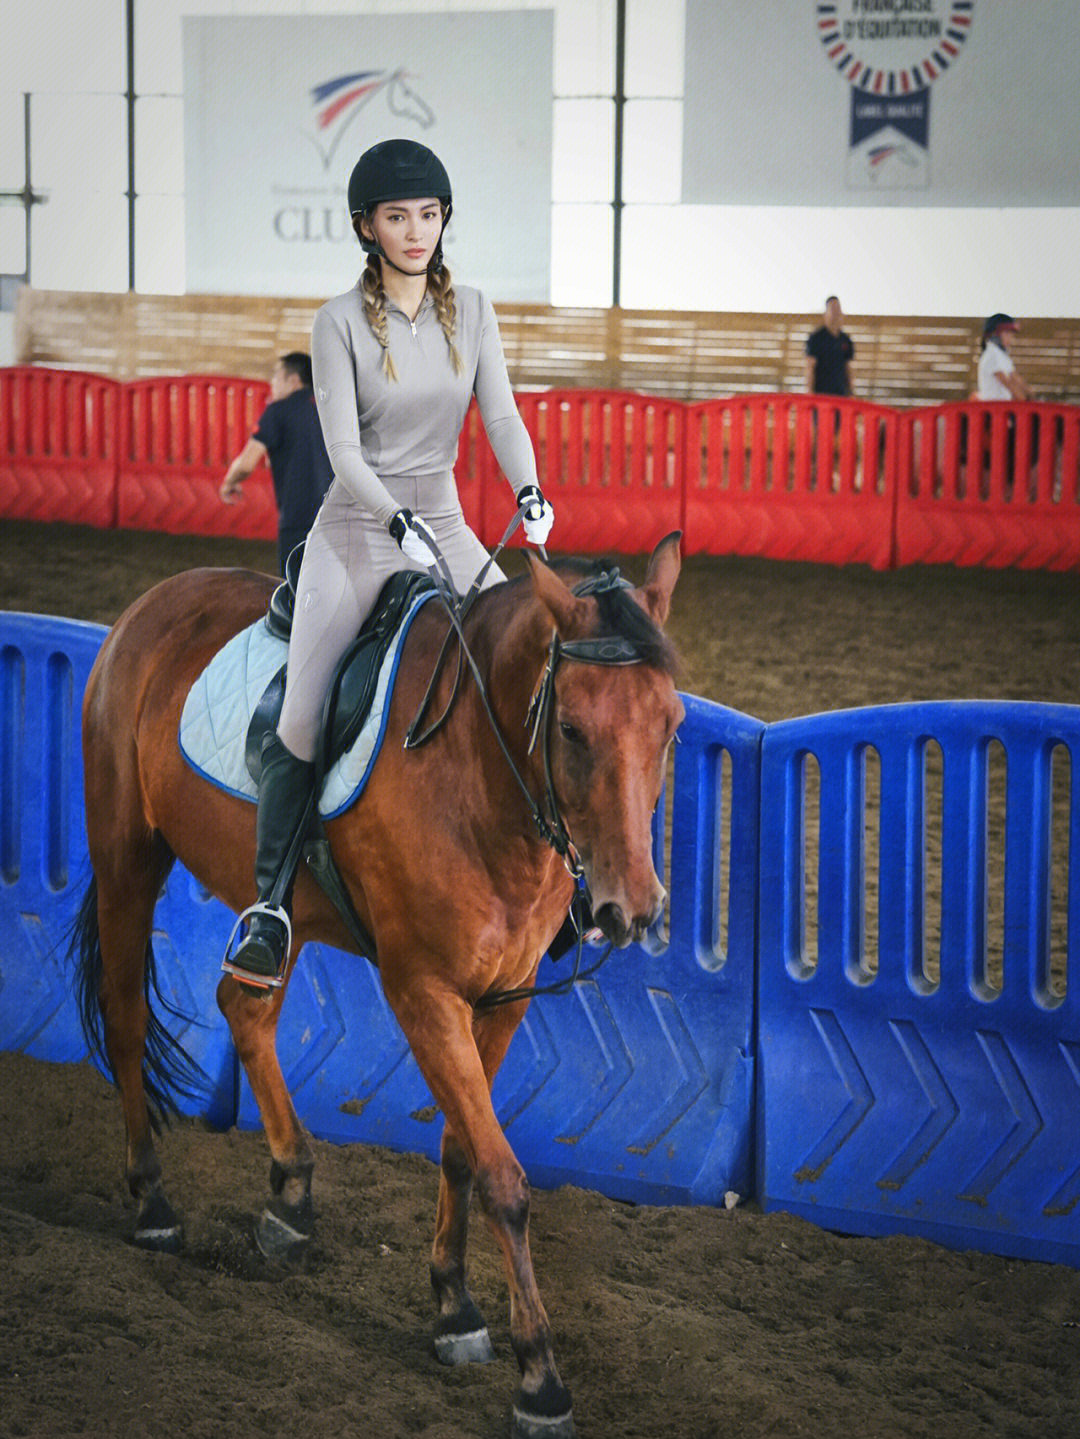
(285, 805)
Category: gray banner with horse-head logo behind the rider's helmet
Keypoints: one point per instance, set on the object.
(278, 109)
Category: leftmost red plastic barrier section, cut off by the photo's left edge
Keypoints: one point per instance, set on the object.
(58, 445)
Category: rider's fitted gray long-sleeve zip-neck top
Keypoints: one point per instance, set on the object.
(411, 427)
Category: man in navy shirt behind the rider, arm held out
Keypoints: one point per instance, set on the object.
(290, 435)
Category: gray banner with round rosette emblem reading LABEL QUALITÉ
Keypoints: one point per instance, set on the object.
(904, 103)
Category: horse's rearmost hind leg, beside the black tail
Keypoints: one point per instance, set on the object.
(116, 962)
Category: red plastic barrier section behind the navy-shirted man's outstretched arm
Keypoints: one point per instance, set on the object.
(178, 438)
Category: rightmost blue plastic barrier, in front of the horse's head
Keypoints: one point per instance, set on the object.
(904, 1099)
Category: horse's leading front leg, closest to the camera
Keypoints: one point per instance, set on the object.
(441, 1034)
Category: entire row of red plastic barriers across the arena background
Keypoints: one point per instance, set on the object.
(789, 477)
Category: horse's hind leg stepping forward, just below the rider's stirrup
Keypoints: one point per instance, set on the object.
(287, 1224)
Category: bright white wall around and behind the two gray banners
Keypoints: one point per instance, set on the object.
(925, 261)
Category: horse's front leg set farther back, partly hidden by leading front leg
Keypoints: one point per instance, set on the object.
(461, 1332)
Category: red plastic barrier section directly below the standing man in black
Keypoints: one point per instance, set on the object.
(792, 478)
